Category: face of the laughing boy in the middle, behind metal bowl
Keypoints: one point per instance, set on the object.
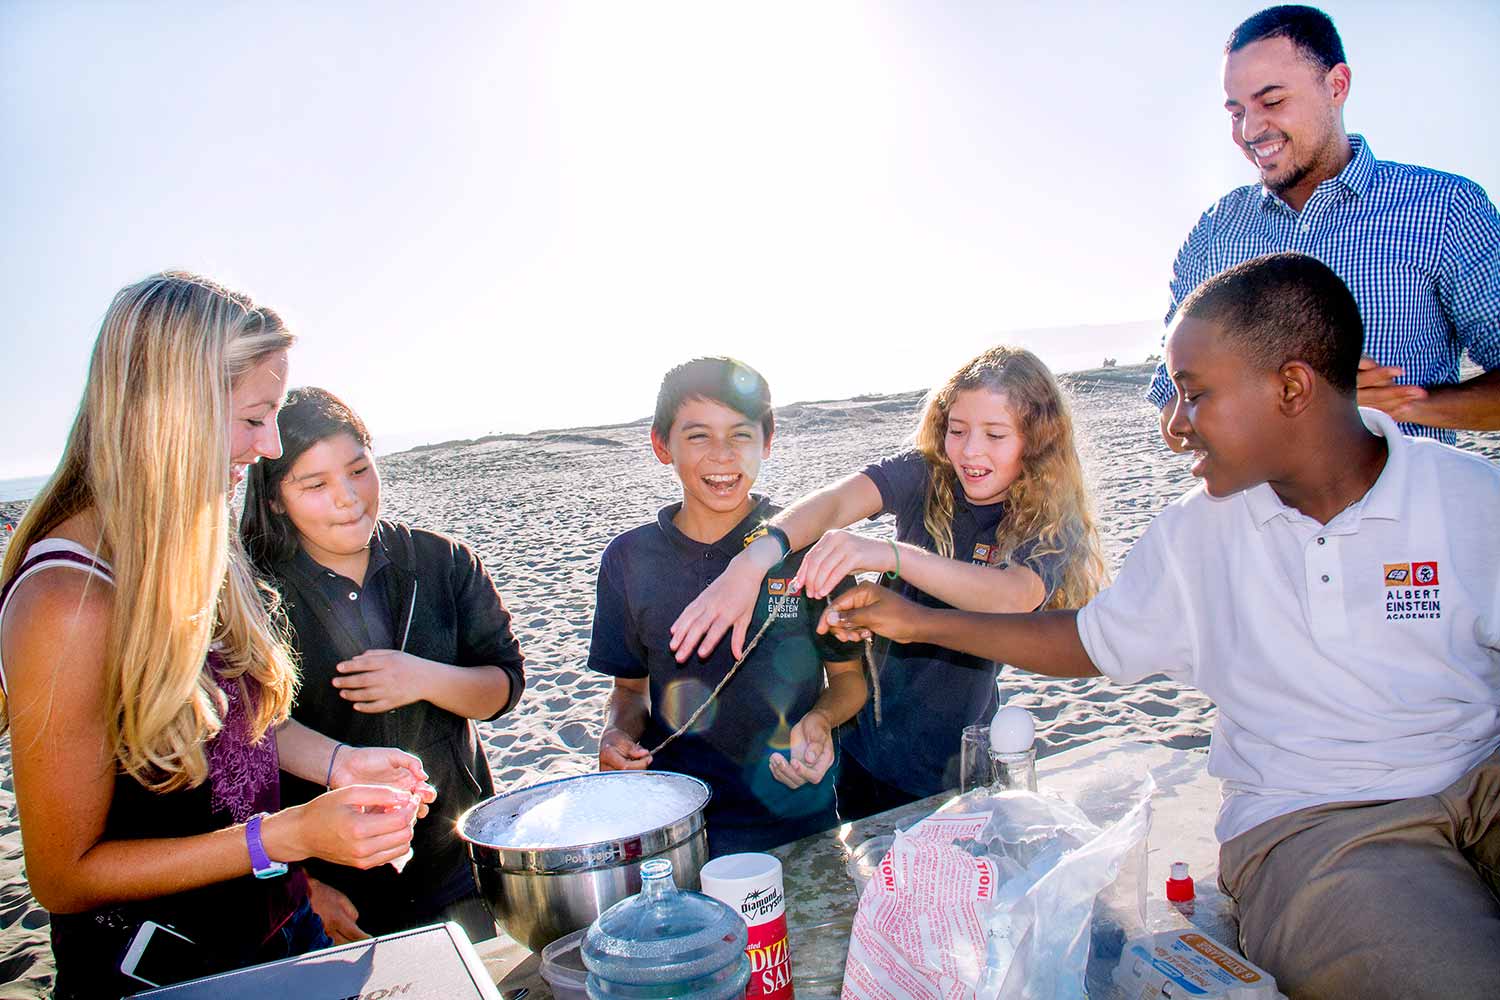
(718, 455)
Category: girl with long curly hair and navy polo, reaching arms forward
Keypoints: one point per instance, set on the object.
(991, 513)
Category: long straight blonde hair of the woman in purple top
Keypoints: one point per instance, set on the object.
(149, 454)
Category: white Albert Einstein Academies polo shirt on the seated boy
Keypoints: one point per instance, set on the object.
(1351, 662)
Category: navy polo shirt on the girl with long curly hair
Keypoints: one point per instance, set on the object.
(929, 693)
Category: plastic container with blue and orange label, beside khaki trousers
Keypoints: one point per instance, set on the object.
(1190, 965)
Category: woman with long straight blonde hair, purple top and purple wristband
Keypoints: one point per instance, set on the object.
(145, 689)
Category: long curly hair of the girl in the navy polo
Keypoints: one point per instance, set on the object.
(1048, 504)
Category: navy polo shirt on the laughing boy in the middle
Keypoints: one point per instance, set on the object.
(646, 579)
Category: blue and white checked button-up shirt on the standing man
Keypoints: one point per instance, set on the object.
(1418, 248)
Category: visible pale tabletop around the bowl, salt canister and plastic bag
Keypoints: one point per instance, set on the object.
(821, 897)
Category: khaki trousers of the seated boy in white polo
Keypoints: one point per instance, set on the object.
(1372, 900)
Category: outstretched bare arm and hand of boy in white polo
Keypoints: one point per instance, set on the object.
(1042, 642)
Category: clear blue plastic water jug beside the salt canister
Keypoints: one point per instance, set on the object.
(667, 944)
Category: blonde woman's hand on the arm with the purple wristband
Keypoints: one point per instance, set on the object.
(359, 825)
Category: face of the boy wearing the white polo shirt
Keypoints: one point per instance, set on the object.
(1226, 409)
